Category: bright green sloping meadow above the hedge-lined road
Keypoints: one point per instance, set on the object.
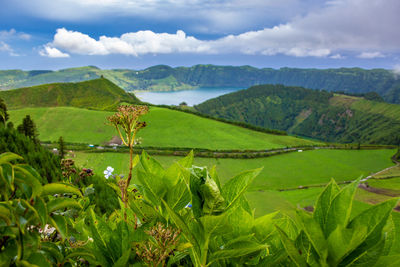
(166, 128)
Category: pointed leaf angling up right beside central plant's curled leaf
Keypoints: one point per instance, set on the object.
(237, 186)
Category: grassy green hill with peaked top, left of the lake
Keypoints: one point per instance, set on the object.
(98, 94)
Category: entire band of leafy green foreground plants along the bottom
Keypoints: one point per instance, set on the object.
(58, 224)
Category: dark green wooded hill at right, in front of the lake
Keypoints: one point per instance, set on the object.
(317, 114)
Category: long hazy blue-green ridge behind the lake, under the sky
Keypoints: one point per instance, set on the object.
(165, 78)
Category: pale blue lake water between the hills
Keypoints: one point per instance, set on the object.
(191, 97)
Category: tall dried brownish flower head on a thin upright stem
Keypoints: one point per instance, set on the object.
(126, 122)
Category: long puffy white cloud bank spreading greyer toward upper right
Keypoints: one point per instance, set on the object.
(328, 31)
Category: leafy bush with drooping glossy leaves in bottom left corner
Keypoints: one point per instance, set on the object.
(34, 224)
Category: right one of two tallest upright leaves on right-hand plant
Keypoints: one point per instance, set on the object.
(340, 209)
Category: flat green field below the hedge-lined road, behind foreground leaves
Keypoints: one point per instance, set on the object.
(279, 172)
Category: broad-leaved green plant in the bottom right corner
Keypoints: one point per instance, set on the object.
(329, 237)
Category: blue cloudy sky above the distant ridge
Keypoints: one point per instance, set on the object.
(135, 34)
